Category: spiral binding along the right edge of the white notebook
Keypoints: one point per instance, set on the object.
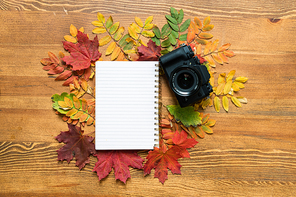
(156, 139)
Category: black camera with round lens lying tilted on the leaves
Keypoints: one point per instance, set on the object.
(187, 77)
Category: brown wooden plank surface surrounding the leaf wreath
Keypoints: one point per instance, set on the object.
(252, 151)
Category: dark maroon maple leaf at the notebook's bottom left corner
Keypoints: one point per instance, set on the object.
(77, 145)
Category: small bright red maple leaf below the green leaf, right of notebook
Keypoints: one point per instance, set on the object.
(182, 143)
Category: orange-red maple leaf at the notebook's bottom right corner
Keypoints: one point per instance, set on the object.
(162, 159)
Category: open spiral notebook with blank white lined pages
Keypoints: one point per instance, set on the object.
(126, 105)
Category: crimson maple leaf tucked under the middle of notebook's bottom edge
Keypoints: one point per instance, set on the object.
(120, 161)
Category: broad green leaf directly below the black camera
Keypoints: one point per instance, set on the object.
(186, 115)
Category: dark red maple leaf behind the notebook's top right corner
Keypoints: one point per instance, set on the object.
(149, 53)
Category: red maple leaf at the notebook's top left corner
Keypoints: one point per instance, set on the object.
(83, 53)
